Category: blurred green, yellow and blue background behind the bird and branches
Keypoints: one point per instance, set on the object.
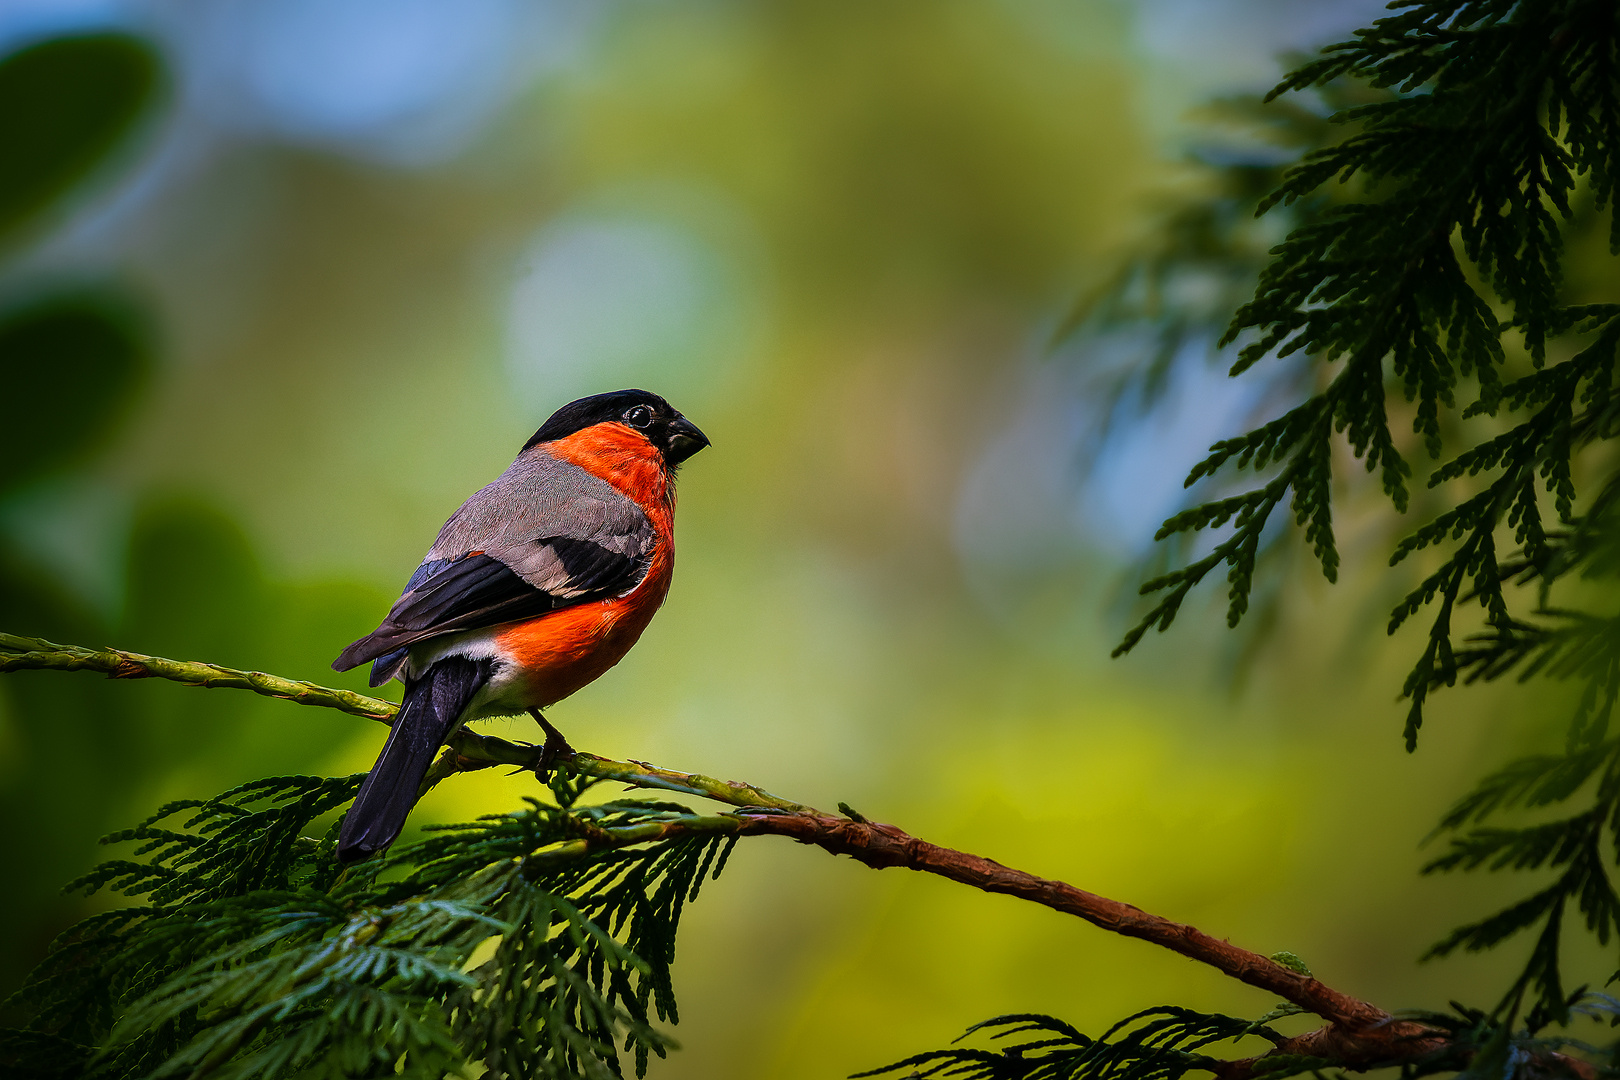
(310, 273)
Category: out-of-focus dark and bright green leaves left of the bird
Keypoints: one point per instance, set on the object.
(75, 364)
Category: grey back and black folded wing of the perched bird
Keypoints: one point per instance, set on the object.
(539, 540)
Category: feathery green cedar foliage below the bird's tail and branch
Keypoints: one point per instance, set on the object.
(252, 955)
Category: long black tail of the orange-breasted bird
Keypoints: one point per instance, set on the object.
(427, 718)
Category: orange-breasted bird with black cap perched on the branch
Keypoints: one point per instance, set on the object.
(534, 589)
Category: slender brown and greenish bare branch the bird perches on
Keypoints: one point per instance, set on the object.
(1358, 1035)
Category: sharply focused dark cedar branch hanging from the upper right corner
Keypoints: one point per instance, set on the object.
(1469, 169)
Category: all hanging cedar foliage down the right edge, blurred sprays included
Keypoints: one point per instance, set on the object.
(1423, 281)
